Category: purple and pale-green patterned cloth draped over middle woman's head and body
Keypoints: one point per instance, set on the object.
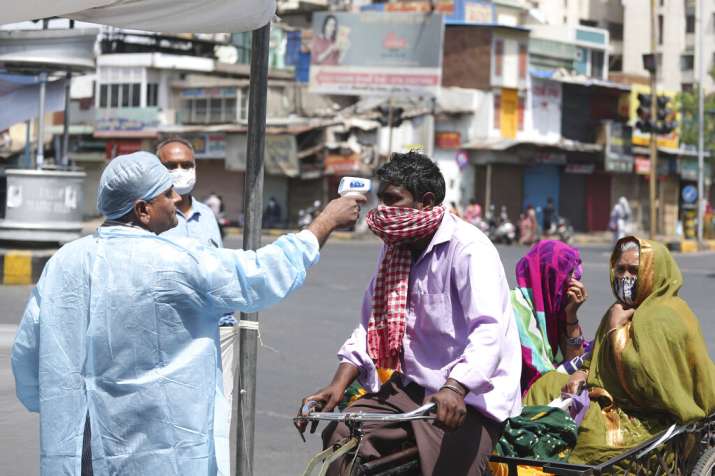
(542, 279)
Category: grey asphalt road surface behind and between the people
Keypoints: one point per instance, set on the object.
(300, 338)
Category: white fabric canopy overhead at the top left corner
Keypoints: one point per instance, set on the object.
(167, 16)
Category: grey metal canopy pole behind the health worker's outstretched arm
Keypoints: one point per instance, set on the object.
(244, 395)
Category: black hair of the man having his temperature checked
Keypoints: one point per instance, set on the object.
(416, 172)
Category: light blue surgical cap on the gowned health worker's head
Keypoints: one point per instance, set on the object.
(128, 178)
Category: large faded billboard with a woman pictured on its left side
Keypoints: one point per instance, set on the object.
(375, 53)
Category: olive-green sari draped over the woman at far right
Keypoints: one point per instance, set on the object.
(645, 375)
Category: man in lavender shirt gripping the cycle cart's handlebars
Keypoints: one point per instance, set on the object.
(460, 347)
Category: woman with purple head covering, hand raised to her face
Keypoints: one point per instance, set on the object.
(546, 302)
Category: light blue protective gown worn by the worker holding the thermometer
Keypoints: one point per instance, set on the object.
(119, 328)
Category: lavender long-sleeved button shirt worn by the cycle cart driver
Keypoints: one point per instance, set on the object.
(459, 323)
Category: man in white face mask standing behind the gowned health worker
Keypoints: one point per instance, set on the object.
(196, 220)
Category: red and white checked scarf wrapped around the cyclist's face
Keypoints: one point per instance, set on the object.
(395, 226)
